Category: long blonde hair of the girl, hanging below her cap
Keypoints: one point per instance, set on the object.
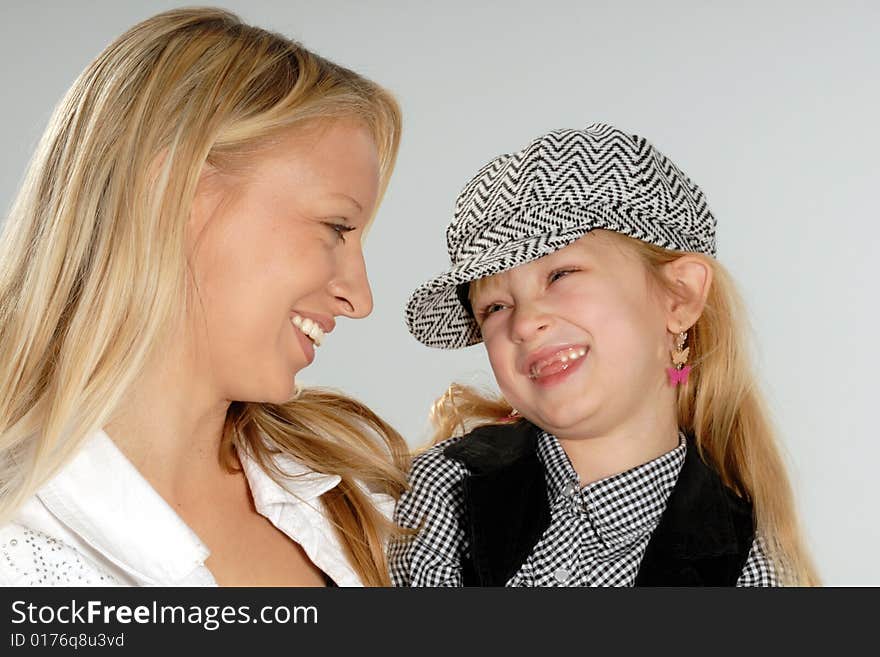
(720, 406)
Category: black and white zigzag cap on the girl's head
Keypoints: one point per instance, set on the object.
(525, 205)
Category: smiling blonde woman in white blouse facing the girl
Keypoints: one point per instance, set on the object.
(189, 229)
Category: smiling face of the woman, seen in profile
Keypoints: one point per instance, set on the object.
(276, 255)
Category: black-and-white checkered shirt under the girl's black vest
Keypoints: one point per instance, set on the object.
(597, 534)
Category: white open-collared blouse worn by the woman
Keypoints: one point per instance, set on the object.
(98, 522)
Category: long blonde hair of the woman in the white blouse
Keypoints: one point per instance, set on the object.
(93, 262)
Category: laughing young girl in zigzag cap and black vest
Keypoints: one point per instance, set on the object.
(630, 446)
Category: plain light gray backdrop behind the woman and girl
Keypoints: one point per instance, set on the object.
(771, 107)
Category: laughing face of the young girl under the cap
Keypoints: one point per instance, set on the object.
(578, 339)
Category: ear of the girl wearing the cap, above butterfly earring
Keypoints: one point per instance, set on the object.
(690, 277)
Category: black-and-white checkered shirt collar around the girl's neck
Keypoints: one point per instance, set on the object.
(622, 507)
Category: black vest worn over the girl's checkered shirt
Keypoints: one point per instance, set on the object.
(703, 538)
